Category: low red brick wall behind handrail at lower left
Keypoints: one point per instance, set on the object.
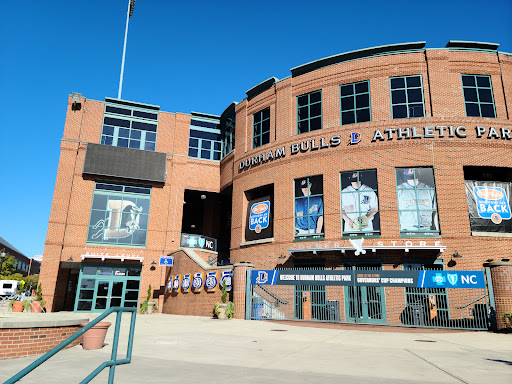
(19, 342)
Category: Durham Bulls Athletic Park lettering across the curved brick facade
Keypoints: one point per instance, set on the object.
(389, 134)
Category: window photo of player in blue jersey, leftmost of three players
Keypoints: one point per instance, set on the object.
(309, 207)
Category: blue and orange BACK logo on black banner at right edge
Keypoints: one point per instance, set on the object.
(492, 203)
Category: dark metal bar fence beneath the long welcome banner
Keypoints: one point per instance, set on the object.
(456, 308)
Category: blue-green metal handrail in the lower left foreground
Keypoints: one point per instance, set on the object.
(114, 361)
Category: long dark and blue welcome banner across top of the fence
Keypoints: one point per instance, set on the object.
(415, 278)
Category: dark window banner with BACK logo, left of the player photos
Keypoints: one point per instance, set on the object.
(259, 223)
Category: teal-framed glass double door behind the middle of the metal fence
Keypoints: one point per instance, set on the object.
(365, 304)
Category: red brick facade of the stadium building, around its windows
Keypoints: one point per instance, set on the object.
(444, 105)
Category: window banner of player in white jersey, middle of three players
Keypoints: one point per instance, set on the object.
(360, 203)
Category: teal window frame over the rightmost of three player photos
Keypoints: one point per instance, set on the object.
(433, 233)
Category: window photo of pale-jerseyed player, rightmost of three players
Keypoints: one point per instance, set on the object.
(417, 205)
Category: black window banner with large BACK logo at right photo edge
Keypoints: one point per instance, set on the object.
(489, 205)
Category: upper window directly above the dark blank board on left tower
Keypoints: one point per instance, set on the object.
(129, 126)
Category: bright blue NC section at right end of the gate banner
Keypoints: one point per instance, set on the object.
(451, 279)
